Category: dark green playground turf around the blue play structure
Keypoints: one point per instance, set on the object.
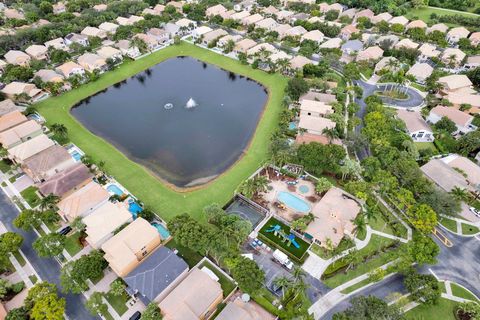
(283, 245)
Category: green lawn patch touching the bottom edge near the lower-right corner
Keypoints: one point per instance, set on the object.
(443, 310)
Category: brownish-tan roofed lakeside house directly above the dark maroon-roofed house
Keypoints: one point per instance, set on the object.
(47, 163)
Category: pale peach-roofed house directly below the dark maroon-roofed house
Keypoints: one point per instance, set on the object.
(83, 201)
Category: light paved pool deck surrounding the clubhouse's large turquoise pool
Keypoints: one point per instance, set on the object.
(288, 213)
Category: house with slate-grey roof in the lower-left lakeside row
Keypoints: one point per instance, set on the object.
(156, 276)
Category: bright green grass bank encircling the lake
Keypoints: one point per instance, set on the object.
(155, 194)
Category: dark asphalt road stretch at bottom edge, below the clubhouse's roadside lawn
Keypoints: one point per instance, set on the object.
(380, 290)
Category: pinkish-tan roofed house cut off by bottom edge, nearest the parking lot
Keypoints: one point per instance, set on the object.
(239, 309)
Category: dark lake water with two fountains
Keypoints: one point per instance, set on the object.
(184, 146)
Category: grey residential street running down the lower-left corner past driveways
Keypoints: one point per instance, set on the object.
(48, 269)
